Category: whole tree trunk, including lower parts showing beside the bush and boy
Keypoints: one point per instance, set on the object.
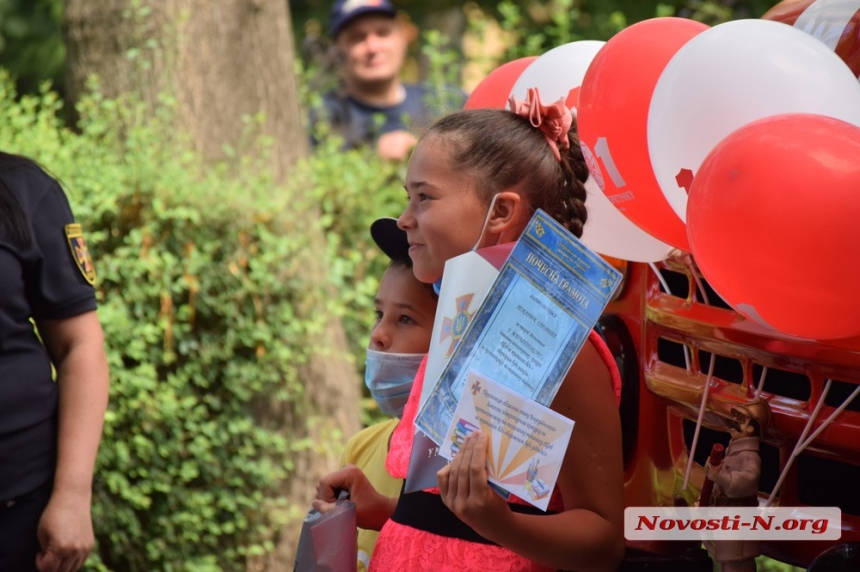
(222, 60)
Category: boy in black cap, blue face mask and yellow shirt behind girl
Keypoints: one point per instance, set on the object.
(405, 309)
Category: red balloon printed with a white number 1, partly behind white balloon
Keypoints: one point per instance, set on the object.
(613, 120)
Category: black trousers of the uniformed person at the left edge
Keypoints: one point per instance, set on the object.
(19, 520)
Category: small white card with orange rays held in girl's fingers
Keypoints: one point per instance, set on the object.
(527, 441)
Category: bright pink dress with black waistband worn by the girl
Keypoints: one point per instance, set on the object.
(401, 548)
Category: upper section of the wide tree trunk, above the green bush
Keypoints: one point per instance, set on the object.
(221, 60)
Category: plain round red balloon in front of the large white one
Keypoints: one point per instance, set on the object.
(773, 219)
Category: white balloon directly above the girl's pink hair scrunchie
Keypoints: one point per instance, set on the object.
(557, 71)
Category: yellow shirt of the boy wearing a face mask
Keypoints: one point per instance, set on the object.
(367, 450)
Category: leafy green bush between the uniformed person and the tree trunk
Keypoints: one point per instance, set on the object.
(205, 313)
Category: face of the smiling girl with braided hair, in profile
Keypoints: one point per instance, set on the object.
(445, 212)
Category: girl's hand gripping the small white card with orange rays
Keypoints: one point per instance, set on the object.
(465, 491)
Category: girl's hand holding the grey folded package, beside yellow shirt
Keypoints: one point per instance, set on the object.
(372, 509)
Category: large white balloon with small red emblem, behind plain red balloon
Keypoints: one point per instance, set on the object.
(731, 75)
